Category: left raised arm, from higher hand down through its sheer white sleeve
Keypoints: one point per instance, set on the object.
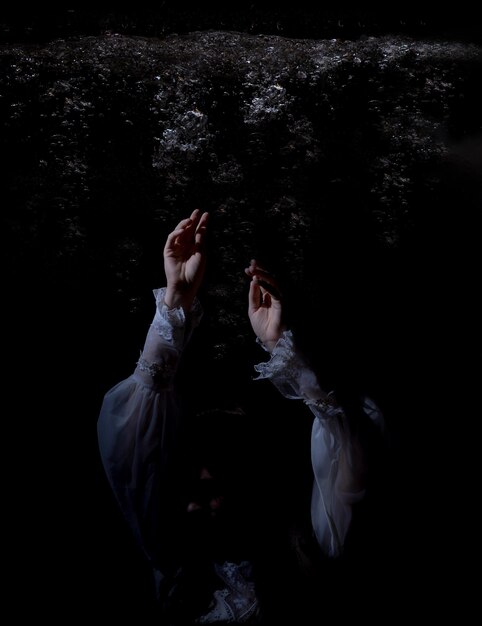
(138, 421)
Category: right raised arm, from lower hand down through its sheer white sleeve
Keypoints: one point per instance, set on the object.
(337, 458)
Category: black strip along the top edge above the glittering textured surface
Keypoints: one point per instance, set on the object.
(320, 20)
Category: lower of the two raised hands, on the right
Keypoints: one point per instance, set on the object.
(265, 311)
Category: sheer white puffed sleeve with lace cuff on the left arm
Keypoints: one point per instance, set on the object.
(138, 423)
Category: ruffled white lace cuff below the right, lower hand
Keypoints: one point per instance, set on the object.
(288, 371)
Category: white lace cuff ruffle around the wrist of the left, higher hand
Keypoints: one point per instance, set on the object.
(173, 325)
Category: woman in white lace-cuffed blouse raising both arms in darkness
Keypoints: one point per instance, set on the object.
(175, 496)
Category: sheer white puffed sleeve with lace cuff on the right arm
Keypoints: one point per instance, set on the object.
(336, 458)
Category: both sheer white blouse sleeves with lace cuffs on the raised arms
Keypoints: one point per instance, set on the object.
(139, 420)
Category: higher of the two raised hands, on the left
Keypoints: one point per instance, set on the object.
(185, 260)
